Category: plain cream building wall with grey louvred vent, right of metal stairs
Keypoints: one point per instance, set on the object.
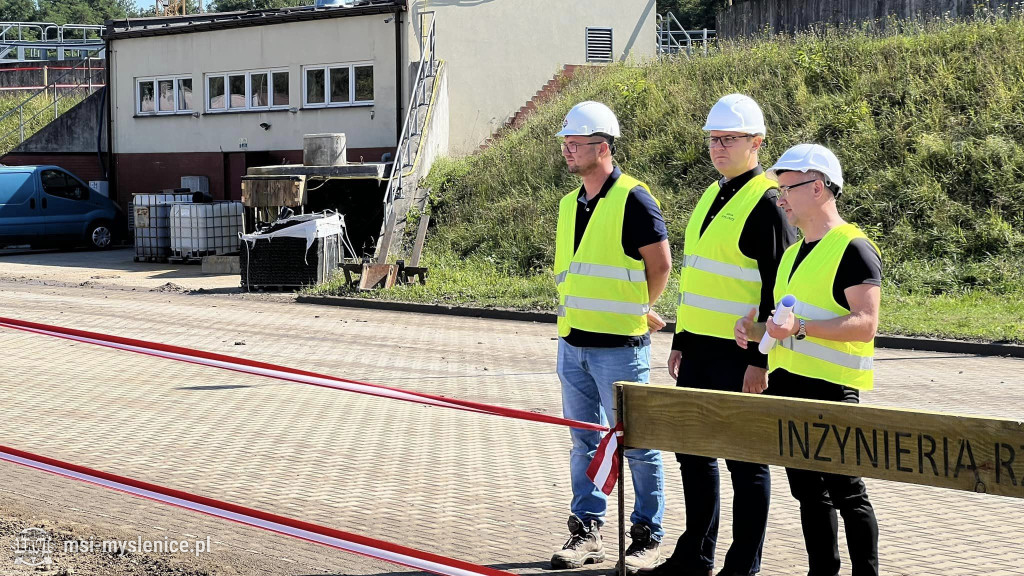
(501, 53)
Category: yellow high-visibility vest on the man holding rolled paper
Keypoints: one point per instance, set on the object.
(848, 364)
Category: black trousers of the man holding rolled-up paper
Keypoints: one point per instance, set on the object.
(822, 495)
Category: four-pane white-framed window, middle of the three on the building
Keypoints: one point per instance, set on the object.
(238, 92)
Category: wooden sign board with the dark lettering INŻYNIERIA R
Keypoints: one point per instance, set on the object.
(946, 450)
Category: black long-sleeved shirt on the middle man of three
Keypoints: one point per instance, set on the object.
(765, 237)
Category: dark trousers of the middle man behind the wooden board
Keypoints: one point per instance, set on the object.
(751, 487)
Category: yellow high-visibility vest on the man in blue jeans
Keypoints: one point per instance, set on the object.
(601, 290)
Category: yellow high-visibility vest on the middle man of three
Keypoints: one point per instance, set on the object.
(718, 284)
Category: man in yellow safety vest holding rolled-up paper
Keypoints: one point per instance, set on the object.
(825, 350)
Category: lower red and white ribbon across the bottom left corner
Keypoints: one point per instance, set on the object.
(388, 552)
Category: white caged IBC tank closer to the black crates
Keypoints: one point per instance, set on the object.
(202, 230)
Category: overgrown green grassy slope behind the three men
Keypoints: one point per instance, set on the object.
(928, 122)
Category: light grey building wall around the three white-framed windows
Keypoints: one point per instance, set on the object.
(285, 46)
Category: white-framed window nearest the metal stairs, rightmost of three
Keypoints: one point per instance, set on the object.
(337, 86)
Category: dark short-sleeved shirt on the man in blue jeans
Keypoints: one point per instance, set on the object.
(644, 225)
